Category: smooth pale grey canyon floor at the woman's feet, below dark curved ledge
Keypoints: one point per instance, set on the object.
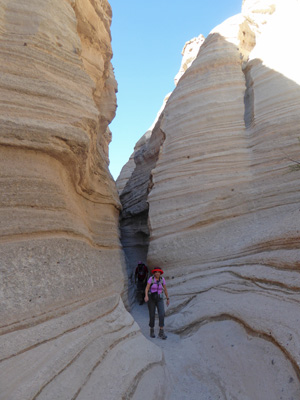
(220, 361)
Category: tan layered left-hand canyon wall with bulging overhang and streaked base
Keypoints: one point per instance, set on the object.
(62, 321)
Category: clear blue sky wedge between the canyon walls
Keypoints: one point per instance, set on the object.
(147, 40)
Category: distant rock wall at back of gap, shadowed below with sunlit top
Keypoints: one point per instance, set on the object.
(135, 180)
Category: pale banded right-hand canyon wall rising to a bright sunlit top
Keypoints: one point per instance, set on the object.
(224, 205)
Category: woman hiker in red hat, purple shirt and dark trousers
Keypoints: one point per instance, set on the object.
(157, 285)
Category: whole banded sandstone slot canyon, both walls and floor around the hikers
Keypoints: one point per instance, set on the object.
(209, 194)
